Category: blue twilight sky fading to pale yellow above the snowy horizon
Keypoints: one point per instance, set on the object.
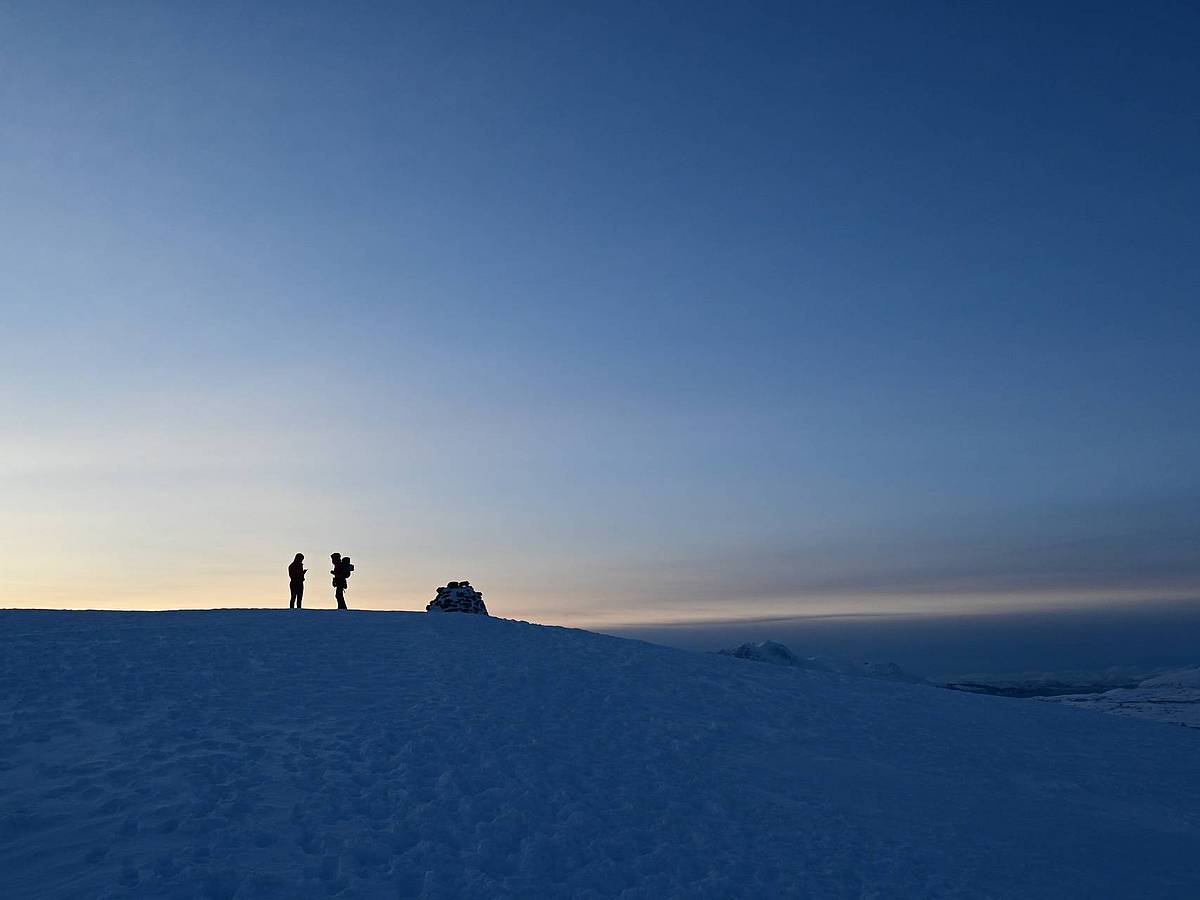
(627, 313)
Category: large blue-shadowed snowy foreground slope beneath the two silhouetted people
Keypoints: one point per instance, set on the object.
(314, 754)
